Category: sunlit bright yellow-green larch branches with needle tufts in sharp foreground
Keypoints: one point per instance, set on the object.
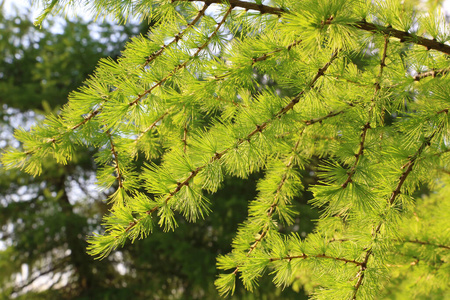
(188, 96)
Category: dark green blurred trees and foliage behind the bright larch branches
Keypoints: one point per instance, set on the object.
(45, 220)
